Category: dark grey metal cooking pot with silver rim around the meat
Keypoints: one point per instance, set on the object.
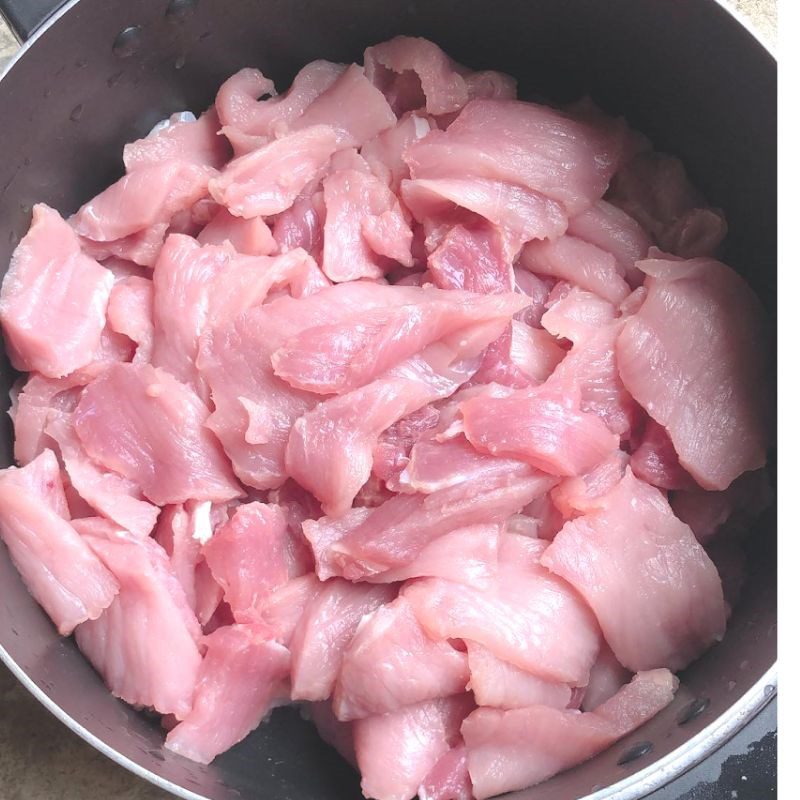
(102, 72)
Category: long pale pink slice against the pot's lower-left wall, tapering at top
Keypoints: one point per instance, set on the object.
(149, 617)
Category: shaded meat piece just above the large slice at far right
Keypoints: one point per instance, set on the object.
(612, 230)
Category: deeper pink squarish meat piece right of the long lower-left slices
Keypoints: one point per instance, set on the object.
(251, 555)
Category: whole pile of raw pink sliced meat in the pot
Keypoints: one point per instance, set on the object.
(396, 397)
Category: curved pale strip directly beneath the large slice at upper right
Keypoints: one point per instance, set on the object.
(520, 213)
